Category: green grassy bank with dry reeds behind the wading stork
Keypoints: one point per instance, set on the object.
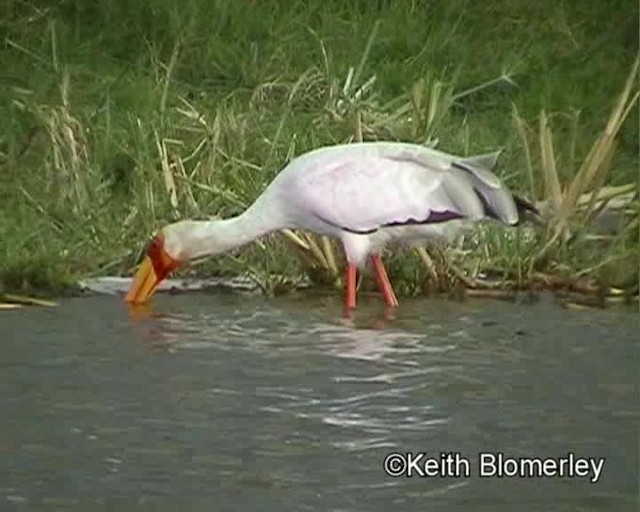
(118, 117)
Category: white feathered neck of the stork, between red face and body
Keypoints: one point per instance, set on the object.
(217, 236)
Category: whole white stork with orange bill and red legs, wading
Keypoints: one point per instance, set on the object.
(365, 194)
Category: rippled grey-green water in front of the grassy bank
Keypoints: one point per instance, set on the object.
(234, 402)
